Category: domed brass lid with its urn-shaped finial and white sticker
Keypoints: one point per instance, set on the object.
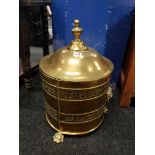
(76, 62)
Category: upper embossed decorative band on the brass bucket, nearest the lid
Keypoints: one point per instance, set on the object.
(75, 94)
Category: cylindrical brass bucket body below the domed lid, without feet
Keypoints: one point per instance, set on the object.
(81, 105)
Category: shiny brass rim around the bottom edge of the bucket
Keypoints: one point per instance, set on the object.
(73, 133)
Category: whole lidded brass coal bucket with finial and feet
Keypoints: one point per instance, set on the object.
(75, 81)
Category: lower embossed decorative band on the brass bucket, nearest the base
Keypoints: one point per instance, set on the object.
(75, 118)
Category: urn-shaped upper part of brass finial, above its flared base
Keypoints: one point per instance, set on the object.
(77, 30)
